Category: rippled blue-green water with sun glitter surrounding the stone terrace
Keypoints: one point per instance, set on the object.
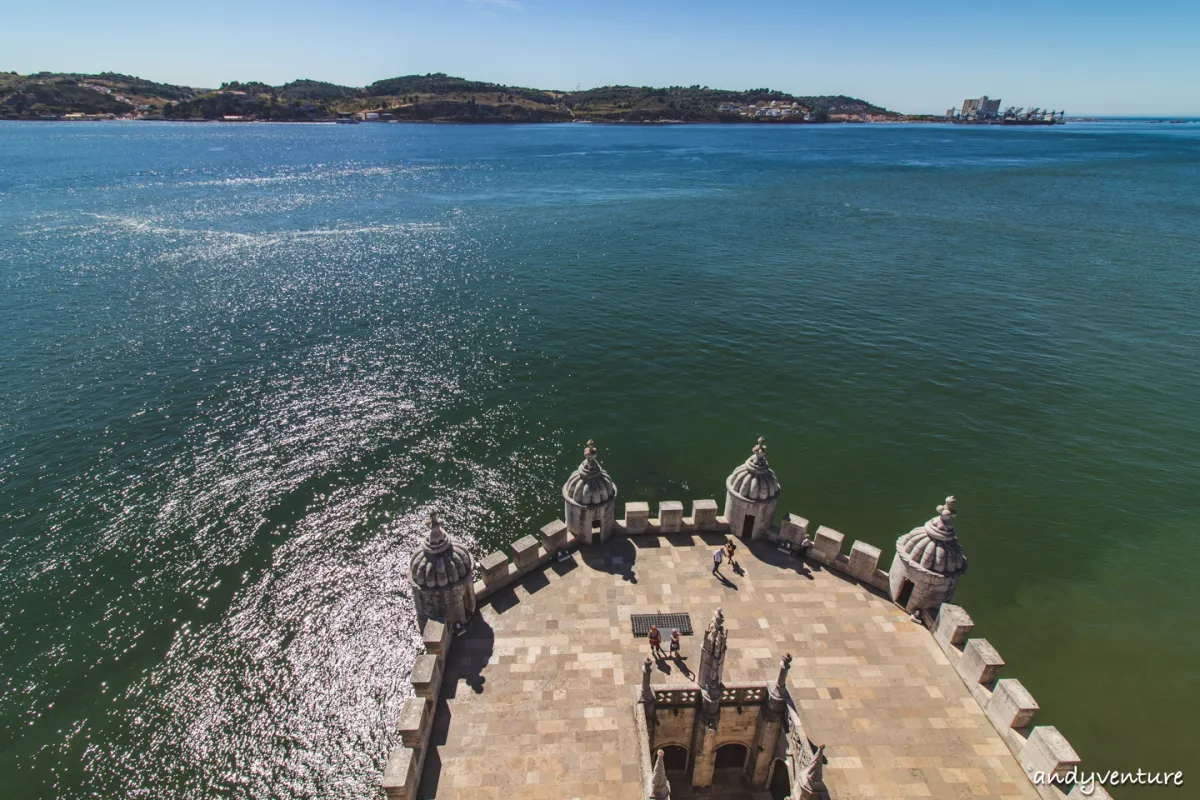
(241, 364)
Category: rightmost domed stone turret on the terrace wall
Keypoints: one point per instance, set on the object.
(928, 563)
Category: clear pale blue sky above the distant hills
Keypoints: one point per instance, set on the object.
(916, 56)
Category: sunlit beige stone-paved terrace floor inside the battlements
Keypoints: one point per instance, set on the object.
(537, 702)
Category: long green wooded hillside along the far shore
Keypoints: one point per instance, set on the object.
(430, 98)
